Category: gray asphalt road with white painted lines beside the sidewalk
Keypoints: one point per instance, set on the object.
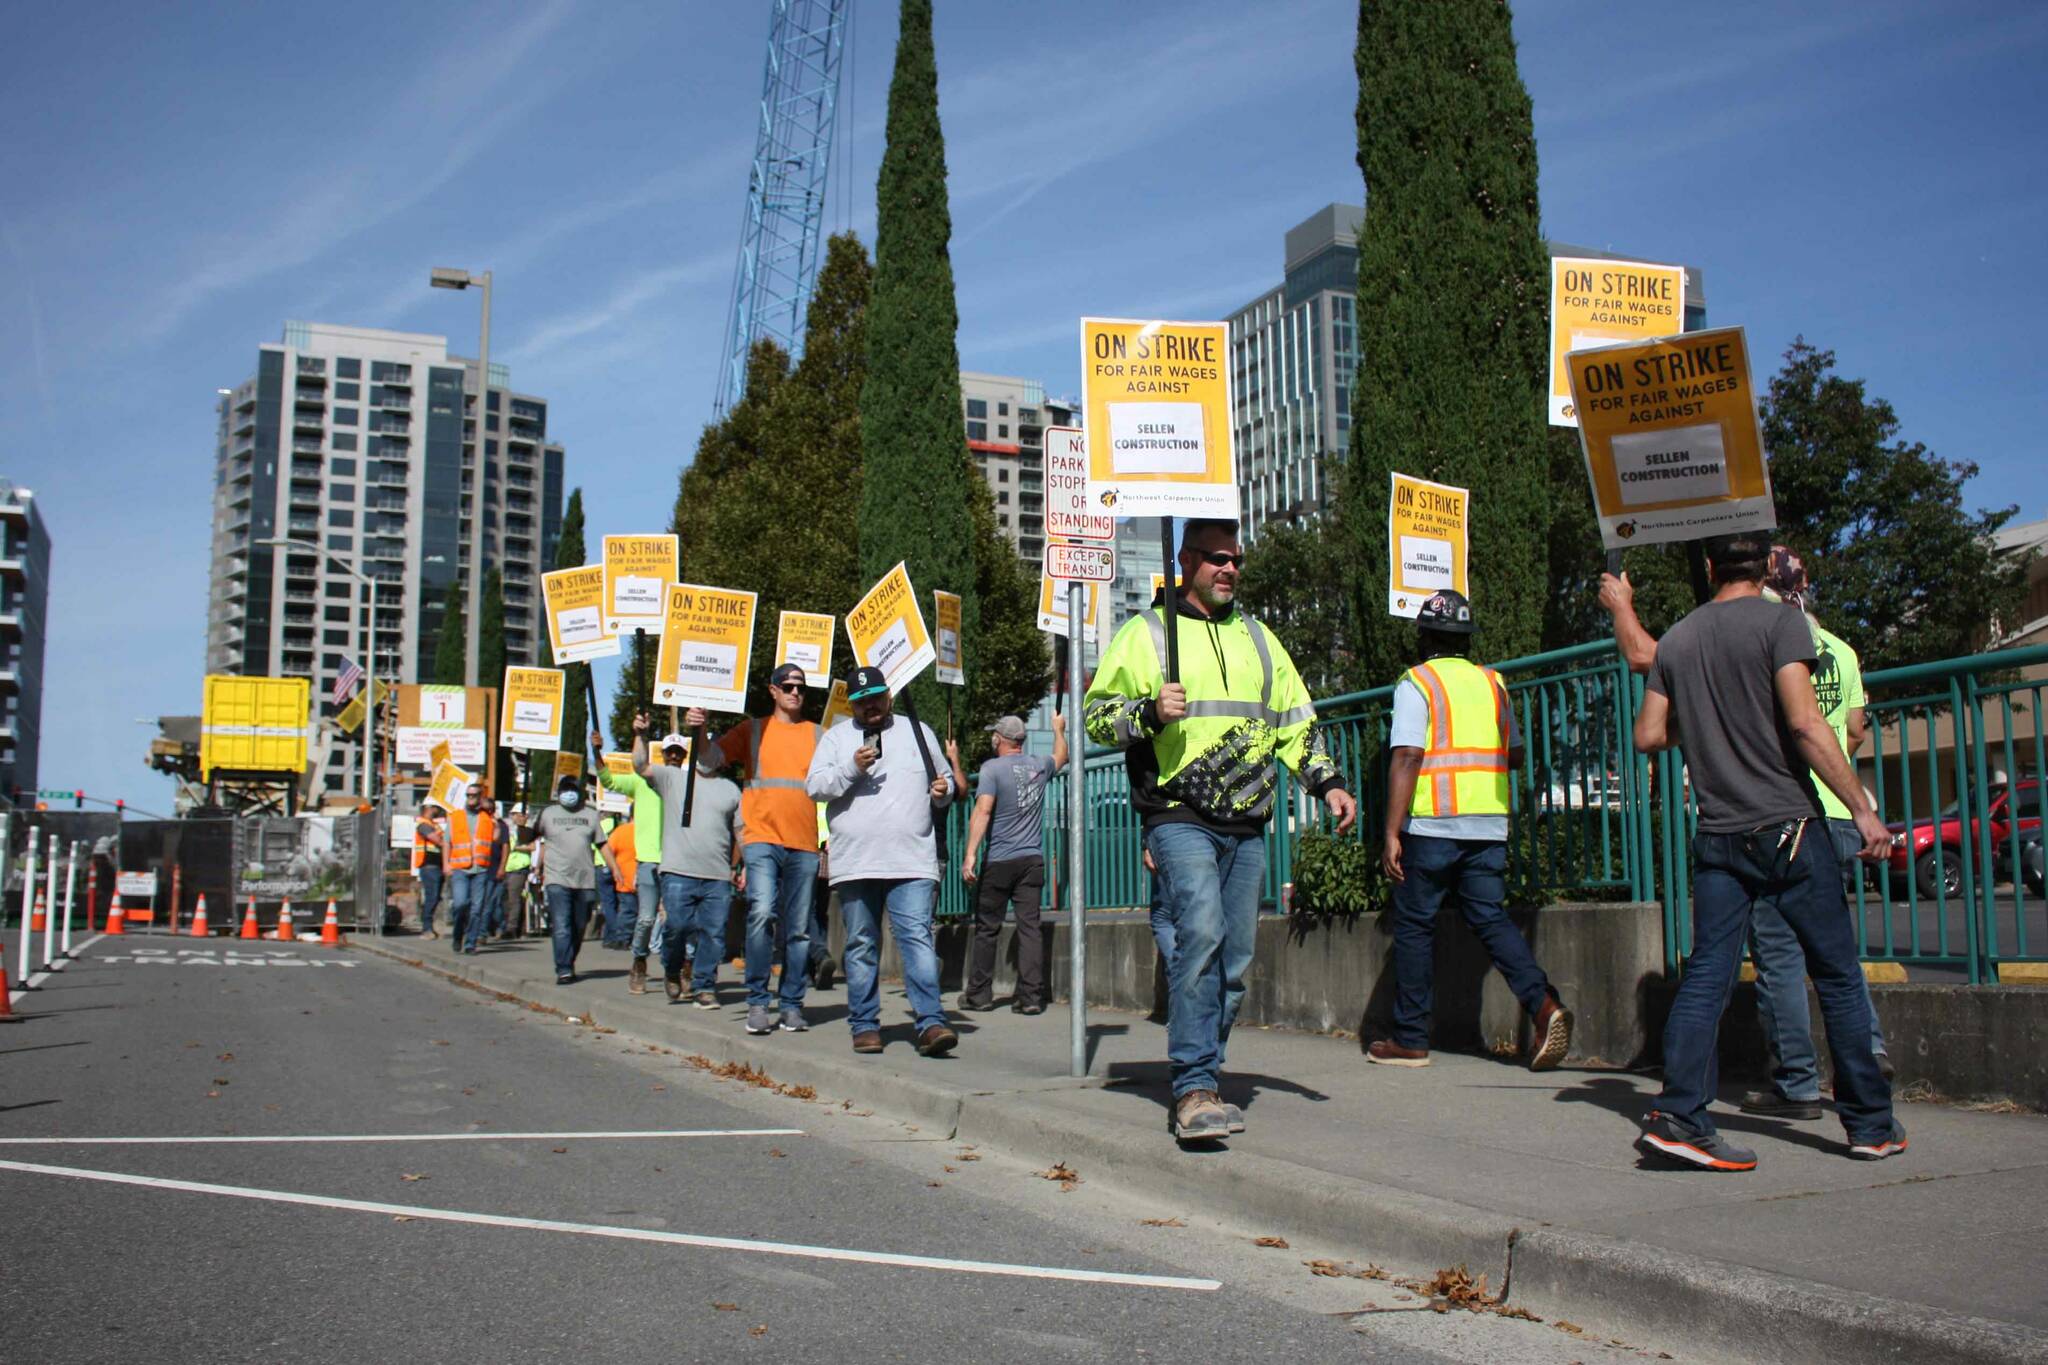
(153, 1039)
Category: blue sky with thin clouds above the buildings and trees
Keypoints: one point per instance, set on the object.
(177, 181)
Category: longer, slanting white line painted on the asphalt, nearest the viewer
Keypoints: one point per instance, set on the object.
(628, 1235)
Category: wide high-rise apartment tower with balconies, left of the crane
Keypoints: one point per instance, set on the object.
(364, 443)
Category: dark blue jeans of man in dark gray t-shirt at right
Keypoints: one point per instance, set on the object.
(1734, 875)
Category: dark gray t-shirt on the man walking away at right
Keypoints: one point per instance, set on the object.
(1719, 672)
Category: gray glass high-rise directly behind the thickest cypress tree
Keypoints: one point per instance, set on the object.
(1295, 353)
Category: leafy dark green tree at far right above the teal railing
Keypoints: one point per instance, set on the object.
(1902, 568)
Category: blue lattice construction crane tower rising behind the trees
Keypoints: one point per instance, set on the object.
(787, 187)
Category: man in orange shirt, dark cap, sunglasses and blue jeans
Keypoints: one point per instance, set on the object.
(779, 850)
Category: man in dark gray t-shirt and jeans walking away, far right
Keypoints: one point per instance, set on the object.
(1734, 682)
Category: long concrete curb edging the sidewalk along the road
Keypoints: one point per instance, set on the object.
(1611, 1286)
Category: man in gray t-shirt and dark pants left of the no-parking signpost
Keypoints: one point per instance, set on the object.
(1009, 803)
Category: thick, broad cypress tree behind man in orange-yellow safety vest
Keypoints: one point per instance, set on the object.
(1453, 296)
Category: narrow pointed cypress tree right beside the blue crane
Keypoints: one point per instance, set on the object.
(919, 488)
